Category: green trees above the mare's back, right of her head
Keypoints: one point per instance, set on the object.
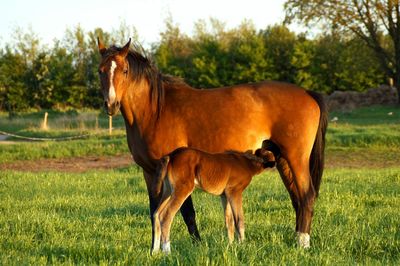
(215, 57)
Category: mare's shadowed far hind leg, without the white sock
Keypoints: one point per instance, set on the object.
(288, 179)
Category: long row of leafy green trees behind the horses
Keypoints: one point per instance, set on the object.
(65, 74)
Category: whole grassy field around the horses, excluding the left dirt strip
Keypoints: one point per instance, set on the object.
(101, 216)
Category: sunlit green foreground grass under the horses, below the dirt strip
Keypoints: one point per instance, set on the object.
(101, 217)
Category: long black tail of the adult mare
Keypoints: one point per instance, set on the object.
(317, 153)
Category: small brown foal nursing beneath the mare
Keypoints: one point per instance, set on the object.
(225, 174)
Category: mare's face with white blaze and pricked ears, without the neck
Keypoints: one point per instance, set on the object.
(113, 72)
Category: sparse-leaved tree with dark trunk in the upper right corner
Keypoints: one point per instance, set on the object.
(370, 20)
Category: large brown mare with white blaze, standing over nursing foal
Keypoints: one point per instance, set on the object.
(163, 113)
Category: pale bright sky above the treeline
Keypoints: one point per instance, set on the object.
(50, 19)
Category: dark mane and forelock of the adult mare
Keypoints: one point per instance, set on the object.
(141, 65)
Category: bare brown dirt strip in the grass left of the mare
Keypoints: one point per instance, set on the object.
(77, 164)
